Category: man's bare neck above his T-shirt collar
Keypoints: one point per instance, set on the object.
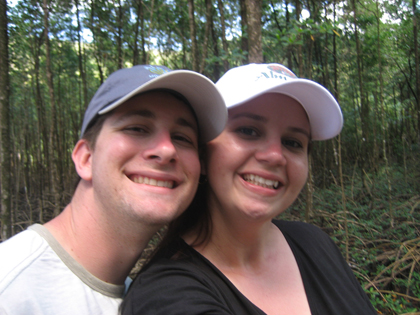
(102, 249)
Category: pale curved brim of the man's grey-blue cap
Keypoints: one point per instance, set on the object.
(201, 93)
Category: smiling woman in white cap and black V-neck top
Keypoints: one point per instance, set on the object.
(226, 254)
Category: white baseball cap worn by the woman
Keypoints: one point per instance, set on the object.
(241, 84)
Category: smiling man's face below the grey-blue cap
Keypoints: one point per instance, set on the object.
(145, 164)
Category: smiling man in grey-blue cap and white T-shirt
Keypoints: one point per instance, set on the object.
(138, 162)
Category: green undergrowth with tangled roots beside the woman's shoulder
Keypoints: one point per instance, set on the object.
(383, 234)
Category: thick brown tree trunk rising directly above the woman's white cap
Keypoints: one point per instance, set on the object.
(253, 9)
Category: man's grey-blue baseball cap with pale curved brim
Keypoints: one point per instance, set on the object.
(201, 93)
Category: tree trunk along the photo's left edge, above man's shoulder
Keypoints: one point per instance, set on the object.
(5, 156)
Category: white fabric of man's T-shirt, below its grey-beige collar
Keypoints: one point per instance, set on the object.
(33, 279)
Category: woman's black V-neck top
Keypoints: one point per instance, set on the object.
(179, 280)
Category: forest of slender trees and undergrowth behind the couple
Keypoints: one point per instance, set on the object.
(364, 187)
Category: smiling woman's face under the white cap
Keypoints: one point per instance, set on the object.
(259, 164)
